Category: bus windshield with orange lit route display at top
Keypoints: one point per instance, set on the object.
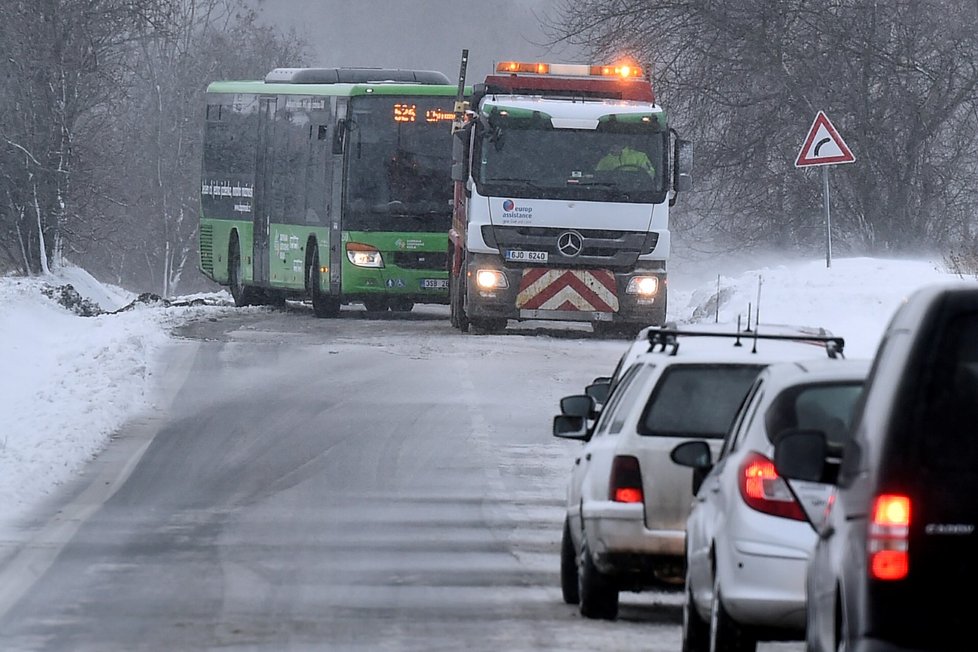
(399, 164)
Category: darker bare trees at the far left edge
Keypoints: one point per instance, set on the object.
(60, 58)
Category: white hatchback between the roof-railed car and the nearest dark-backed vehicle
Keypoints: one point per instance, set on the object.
(748, 542)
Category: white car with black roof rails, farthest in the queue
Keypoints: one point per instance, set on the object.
(627, 503)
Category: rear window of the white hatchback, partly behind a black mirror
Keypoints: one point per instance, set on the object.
(828, 407)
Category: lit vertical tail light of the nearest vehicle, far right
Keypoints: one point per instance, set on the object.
(889, 533)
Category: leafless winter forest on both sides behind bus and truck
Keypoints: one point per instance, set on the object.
(101, 102)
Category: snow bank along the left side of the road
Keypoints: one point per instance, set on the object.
(68, 381)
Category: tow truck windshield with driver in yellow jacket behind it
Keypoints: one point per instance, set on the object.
(531, 159)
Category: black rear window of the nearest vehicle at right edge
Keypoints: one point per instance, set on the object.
(950, 418)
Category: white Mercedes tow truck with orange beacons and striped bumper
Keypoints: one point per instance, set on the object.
(563, 176)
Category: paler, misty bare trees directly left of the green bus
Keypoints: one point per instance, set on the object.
(159, 124)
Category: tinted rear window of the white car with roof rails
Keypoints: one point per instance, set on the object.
(697, 400)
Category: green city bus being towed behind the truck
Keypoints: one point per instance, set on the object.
(329, 184)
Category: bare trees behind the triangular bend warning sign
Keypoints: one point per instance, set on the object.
(745, 79)
